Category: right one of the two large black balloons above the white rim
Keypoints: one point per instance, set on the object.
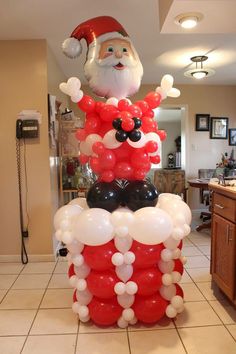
(140, 194)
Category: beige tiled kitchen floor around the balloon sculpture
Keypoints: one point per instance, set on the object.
(36, 315)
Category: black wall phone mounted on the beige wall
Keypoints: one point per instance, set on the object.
(27, 129)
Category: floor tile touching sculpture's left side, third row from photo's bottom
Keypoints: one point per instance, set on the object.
(57, 298)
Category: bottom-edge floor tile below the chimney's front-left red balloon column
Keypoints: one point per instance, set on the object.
(117, 343)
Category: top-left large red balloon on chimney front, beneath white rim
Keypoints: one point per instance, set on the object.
(99, 257)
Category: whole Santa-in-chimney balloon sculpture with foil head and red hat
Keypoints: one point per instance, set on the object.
(124, 242)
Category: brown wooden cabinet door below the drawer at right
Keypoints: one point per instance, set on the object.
(223, 255)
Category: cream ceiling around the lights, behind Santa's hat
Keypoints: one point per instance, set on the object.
(162, 45)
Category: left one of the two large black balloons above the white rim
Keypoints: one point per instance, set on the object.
(104, 195)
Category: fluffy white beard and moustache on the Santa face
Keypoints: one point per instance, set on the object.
(106, 81)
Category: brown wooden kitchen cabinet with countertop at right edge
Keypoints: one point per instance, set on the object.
(223, 246)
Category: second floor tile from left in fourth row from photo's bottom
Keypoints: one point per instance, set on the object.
(32, 281)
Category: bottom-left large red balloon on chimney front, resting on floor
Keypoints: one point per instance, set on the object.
(104, 312)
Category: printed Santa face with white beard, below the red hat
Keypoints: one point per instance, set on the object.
(113, 68)
